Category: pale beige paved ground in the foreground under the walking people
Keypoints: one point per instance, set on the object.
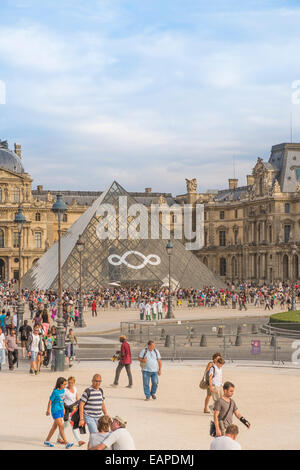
(266, 396)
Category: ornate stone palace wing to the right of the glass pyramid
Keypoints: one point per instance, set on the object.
(252, 233)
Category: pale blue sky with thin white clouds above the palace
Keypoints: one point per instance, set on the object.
(147, 93)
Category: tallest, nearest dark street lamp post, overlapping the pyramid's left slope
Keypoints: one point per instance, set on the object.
(59, 207)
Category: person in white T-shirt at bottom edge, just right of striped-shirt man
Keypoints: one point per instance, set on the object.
(119, 439)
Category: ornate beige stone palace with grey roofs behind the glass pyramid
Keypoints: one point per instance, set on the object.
(251, 232)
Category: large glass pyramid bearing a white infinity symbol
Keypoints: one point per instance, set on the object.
(126, 262)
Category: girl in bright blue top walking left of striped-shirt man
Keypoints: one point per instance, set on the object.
(56, 404)
